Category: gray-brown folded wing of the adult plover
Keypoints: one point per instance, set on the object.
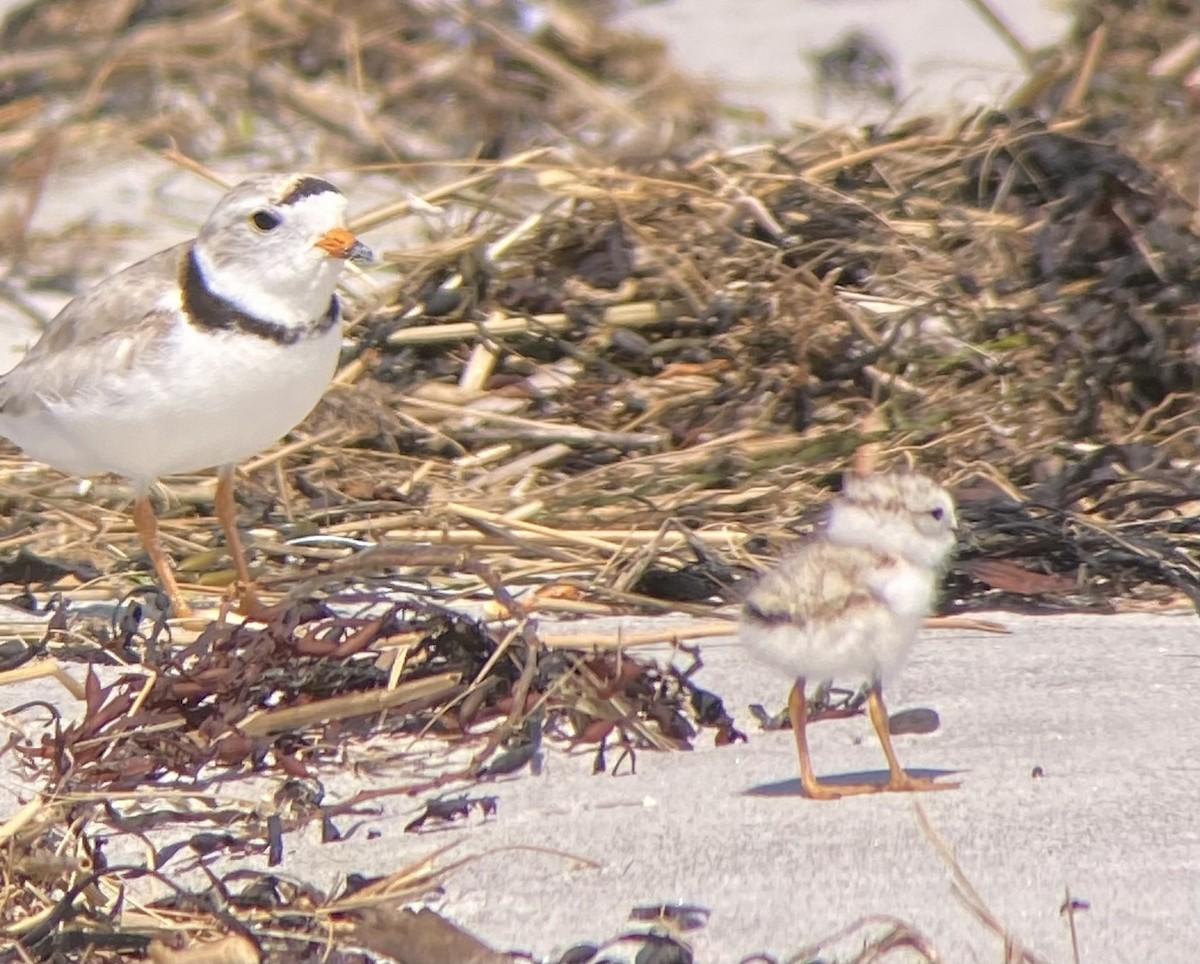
(98, 334)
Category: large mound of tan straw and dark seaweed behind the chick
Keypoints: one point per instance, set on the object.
(1012, 306)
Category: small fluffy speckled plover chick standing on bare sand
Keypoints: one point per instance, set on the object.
(850, 603)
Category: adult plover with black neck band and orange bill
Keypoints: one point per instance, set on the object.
(199, 357)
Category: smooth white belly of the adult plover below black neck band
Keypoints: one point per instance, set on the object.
(207, 399)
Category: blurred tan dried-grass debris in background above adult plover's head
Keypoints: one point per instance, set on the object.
(386, 81)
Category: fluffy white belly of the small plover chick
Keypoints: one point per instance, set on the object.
(869, 646)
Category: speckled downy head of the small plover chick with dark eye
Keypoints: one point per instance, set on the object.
(898, 514)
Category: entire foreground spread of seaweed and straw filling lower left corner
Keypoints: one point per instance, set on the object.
(283, 698)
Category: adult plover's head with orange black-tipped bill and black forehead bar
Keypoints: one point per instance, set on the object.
(275, 247)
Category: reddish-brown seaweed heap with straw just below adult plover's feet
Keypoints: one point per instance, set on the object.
(289, 693)
